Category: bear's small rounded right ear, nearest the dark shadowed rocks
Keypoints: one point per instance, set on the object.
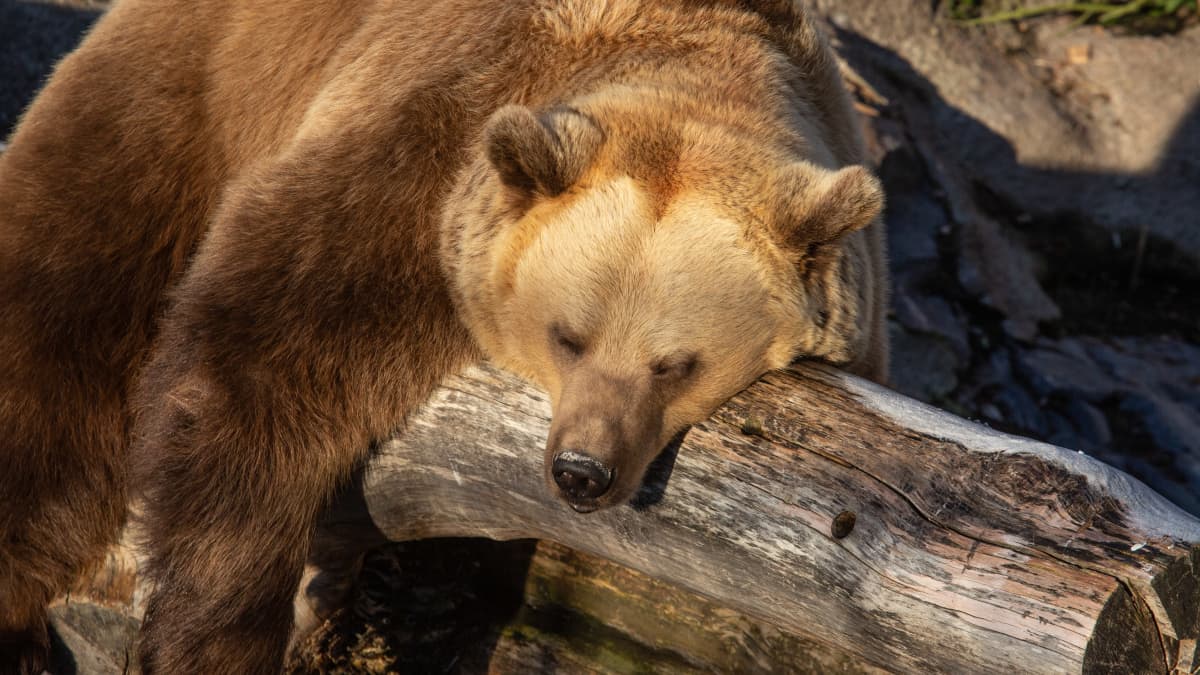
(814, 206)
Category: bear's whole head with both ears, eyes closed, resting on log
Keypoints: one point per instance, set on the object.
(644, 271)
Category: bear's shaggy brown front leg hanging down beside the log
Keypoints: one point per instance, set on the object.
(309, 325)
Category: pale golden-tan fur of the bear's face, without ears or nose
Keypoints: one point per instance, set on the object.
(635, 292)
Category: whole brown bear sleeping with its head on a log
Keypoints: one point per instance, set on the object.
(242, 241)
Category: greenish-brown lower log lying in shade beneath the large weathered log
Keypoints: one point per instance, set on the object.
(583, 614)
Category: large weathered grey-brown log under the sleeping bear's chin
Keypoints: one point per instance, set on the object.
(875, 528)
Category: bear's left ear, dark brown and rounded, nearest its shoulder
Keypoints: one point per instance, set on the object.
(542, 154)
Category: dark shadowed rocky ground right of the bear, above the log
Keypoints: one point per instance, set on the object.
(1043, 325)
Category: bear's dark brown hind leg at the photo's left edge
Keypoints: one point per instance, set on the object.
(86, 254)
